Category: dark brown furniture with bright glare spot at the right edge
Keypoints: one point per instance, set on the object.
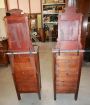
(84, 7)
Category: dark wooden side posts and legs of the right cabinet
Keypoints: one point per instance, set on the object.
(57, 51)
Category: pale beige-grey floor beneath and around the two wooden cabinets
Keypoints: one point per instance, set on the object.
(8, 93)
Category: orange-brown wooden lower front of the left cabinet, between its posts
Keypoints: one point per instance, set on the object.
(24, 71)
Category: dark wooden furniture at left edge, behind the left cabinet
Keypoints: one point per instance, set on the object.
(3, 48)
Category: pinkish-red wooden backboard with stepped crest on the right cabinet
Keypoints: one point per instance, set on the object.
(69, 29)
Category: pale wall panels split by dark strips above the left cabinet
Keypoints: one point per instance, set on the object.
(35, 5)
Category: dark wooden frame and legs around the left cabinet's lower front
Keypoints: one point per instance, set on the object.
(38, 75)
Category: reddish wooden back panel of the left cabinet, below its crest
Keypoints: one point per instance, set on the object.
(18, 33)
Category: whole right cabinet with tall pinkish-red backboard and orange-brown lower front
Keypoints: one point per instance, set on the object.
(67, 62)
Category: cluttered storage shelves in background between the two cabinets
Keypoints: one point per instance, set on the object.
(50, 11)
